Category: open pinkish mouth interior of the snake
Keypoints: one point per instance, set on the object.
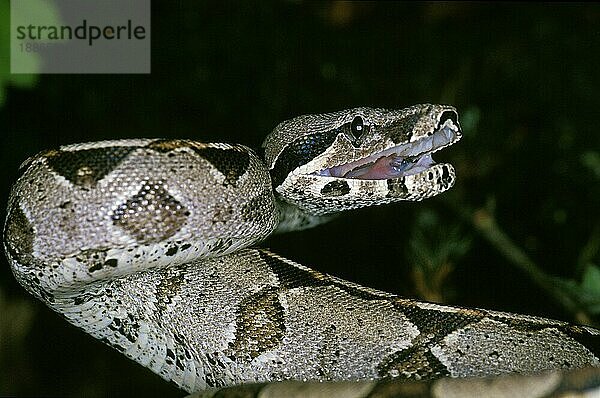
(399, 161)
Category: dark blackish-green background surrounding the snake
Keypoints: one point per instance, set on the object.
(524, 78)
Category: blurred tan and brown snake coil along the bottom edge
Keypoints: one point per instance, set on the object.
(553, 384)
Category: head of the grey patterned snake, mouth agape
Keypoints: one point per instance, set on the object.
(360, 157)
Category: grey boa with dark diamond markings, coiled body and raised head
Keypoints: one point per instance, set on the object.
(143, 243)
